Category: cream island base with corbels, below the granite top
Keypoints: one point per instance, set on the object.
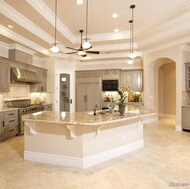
(81, 146)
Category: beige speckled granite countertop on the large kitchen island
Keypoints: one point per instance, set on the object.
(87, 118)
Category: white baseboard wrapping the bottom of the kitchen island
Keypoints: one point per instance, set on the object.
(82, 162)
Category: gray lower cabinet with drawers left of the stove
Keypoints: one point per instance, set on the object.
(8, 124)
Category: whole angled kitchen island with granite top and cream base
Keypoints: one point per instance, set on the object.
(81, 139)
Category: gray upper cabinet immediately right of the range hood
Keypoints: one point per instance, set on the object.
(40, 87)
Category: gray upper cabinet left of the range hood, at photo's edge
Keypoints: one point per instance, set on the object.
(4, 77)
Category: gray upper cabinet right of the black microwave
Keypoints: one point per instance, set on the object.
(133, 79)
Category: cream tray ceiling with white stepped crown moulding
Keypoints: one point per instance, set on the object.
(157, 24)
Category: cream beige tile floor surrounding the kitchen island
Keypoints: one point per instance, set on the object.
(163, 163)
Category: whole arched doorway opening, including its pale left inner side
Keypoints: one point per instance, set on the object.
(160, 75)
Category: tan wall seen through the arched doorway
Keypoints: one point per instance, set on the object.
(167, 90)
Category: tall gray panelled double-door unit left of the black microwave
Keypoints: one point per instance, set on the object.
(88, 94)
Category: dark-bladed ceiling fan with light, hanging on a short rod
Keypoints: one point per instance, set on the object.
(81, 51)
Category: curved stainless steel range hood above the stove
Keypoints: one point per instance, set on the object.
(23, 76)
